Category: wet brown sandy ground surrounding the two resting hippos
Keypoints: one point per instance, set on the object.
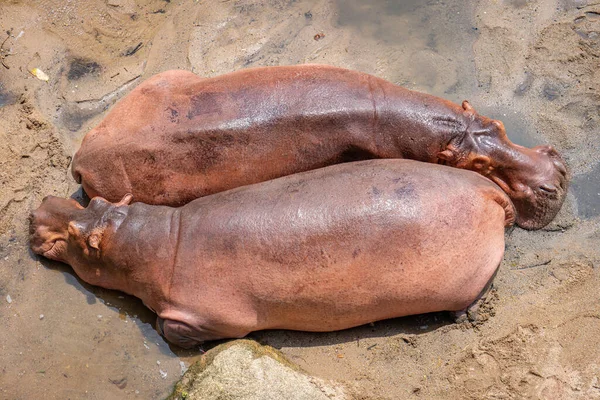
(533, 64)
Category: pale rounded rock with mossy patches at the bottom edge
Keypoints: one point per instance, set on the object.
(245, 370)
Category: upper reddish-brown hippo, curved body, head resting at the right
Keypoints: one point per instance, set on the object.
(178, 137)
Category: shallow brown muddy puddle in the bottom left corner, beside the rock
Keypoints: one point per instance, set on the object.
(78, 341)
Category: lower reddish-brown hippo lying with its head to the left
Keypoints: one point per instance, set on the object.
(321, 250)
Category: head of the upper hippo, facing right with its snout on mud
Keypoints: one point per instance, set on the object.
(535, 179)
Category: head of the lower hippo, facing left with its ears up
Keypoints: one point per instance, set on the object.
(62, 230)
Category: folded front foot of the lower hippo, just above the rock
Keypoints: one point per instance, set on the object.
(187, 336)
